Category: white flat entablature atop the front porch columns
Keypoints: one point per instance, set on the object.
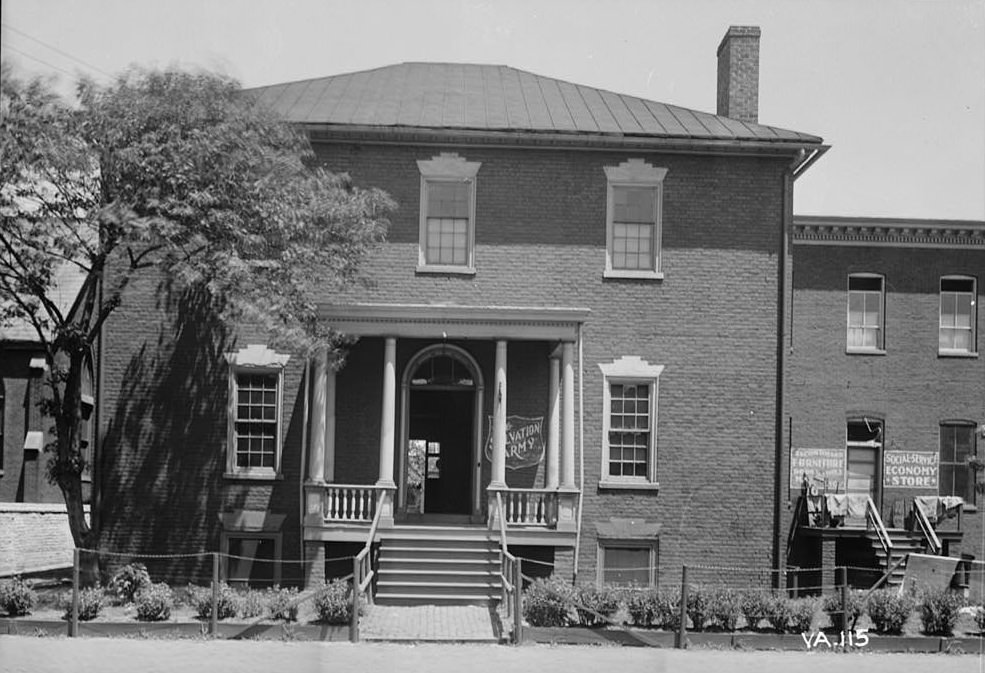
(445, 321)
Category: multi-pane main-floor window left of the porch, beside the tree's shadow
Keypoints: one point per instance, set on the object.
(255, 416)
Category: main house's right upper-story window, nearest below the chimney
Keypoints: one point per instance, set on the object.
(634, 208)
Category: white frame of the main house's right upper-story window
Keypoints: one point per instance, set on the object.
(634, 173)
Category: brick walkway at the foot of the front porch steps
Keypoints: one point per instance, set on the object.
(454, 623)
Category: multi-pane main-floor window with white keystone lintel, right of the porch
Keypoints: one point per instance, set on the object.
(629, 423)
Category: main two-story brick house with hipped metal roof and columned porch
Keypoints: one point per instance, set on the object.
(573, 332)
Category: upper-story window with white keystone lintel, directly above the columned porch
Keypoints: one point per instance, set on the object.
(447, 230)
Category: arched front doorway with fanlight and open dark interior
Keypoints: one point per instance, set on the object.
(441, 429)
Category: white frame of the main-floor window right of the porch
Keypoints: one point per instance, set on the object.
(632, 370)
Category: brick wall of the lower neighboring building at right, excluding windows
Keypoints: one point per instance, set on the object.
(910, 388)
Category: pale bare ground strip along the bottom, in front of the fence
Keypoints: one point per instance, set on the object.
(57, 655)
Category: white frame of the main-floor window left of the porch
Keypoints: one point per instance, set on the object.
(254, 359)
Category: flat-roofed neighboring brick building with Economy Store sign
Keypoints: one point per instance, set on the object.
(885, 373)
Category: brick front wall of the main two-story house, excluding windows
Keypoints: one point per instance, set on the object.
(540, 241)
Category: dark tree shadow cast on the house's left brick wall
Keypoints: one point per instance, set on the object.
(163, 454)
